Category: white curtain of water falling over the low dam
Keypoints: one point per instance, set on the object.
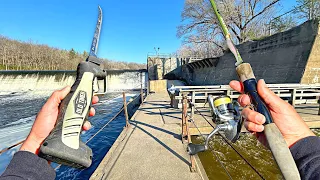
(24, 81)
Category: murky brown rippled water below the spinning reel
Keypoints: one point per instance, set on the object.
(221, 158)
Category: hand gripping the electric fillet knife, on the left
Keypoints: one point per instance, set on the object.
(46, 120)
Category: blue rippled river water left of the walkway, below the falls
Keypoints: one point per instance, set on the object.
(19, 110)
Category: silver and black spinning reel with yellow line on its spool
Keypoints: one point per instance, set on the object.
(226, 116)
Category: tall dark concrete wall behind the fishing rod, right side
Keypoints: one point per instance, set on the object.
(281, 58)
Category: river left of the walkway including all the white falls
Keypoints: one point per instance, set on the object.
(22, 95)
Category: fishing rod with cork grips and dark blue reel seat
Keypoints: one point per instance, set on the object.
(276, 142)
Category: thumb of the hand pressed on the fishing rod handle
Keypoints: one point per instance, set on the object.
(269, 97)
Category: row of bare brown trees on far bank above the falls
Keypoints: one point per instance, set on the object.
(17, 55)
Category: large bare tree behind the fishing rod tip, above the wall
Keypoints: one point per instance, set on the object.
(246, 19)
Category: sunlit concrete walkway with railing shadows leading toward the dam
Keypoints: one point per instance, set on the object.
(151, 148)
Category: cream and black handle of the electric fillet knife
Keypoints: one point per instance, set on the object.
(63, 145)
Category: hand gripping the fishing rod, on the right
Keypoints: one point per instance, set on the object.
(289, 122)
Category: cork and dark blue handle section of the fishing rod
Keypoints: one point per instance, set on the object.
(276, 142)
